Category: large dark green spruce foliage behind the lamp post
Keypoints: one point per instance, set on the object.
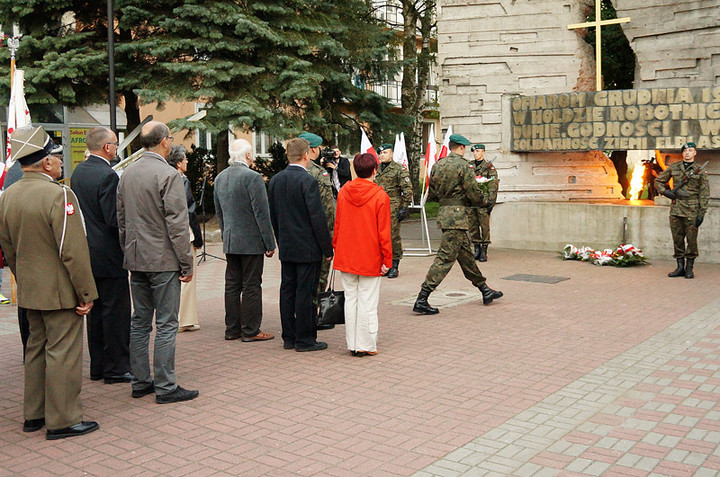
(277, 66)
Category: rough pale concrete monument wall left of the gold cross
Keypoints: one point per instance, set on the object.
(490, 50)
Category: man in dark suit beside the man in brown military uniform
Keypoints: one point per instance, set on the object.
(108, 325)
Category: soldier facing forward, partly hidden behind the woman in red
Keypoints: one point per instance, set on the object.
(394, 178)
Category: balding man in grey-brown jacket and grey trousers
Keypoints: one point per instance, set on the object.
(154, 234)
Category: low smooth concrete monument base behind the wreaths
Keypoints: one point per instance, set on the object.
(551, 225)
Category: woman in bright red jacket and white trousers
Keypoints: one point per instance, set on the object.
(363, 253)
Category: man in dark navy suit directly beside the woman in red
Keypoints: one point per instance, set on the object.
(302, 233)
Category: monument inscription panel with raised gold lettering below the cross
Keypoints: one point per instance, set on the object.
(661, 118)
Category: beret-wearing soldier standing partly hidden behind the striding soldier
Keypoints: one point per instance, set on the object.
(478, 216)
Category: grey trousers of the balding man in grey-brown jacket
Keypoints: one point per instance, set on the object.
(155, 293)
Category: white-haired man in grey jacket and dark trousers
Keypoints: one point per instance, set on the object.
(243, 214)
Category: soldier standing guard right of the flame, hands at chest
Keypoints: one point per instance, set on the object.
(689, 204)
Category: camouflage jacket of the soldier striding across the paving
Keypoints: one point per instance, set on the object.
(453, 186)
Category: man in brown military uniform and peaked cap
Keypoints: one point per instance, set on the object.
(42, 235)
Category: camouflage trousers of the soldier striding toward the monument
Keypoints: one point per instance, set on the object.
(455, 246)
